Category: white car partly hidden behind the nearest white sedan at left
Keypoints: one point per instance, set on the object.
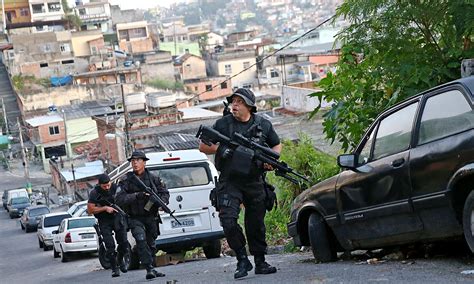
(47, 224)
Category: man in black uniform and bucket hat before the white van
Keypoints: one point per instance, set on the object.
(142, 210)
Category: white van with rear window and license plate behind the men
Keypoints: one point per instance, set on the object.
(189, 176)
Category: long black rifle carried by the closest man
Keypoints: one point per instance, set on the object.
(252, 150)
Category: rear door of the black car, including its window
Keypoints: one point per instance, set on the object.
(444, 145)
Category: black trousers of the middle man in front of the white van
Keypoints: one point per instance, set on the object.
(145, 231)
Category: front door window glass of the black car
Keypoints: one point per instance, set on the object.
(394, 133)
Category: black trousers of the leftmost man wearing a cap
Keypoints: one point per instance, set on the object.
(116, 225)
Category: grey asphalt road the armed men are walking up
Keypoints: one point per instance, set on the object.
(22, 261)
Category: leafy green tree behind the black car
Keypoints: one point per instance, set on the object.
(392, 50)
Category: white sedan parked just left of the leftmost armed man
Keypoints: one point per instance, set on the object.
(76, 234)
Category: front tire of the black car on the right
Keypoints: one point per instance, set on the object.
(323, 248)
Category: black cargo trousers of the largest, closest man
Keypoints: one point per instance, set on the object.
(252, 195)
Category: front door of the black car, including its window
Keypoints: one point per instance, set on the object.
(374, 199)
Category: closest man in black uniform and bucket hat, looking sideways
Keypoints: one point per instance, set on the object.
(235, 188)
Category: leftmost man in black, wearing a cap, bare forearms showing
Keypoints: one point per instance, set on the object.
(100, 199)
